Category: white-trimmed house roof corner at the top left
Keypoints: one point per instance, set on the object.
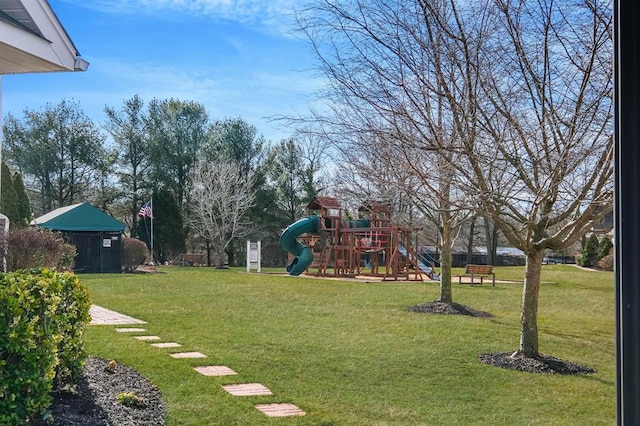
(33, 40)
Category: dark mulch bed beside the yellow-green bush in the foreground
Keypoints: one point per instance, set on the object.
(96, 403)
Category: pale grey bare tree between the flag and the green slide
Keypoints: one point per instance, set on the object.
(222, 194)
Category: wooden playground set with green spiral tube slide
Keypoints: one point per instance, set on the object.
(326, 244)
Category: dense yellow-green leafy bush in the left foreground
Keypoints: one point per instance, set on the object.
(43, 315)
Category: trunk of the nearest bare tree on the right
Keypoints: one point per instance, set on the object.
(529, 318)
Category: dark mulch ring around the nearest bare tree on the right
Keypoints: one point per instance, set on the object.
(543, 364)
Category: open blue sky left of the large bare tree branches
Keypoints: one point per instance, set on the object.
(239, 58)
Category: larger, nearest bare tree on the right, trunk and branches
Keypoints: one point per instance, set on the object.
(547, 112)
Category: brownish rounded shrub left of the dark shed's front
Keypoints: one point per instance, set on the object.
(36, 248)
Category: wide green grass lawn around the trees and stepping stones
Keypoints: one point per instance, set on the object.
(352, 354)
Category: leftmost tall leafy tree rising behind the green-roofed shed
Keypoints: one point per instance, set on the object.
(57, 150)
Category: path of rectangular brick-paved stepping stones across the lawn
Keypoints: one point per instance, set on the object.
(102, 316)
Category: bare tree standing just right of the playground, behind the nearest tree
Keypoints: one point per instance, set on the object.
(387, 108)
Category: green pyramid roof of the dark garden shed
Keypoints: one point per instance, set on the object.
(79, 217)
